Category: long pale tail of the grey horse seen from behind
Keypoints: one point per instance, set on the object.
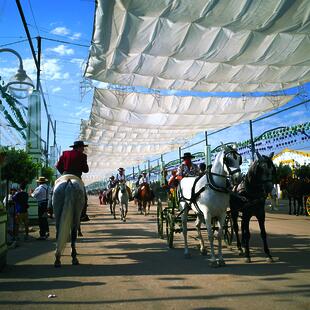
(66, 219)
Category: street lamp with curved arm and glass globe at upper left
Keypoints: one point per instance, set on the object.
(20, 85)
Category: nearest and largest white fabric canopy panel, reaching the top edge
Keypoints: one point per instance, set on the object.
(201, 45)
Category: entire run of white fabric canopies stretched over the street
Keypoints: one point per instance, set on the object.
(204, 45)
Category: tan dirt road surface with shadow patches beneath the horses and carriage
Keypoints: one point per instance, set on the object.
(126, 266)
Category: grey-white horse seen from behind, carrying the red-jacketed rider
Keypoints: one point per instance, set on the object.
(68, 201)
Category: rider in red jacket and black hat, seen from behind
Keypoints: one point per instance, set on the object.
(75, 162)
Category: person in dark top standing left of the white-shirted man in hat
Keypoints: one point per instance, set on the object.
(21, 210)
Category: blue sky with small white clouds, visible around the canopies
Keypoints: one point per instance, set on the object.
(62, 68)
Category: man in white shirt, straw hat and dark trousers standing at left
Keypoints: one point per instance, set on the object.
(41, 194)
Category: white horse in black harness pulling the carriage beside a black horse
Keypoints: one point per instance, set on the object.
(208, 196)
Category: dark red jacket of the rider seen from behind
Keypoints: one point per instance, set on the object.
(72, 162)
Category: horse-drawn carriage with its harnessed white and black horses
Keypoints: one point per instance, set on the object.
(217, 206)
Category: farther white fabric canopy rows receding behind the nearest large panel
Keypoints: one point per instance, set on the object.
(125, 129)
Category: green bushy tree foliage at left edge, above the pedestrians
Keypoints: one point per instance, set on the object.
(18, 166)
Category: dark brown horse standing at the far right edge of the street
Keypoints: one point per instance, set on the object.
(296, 190)
